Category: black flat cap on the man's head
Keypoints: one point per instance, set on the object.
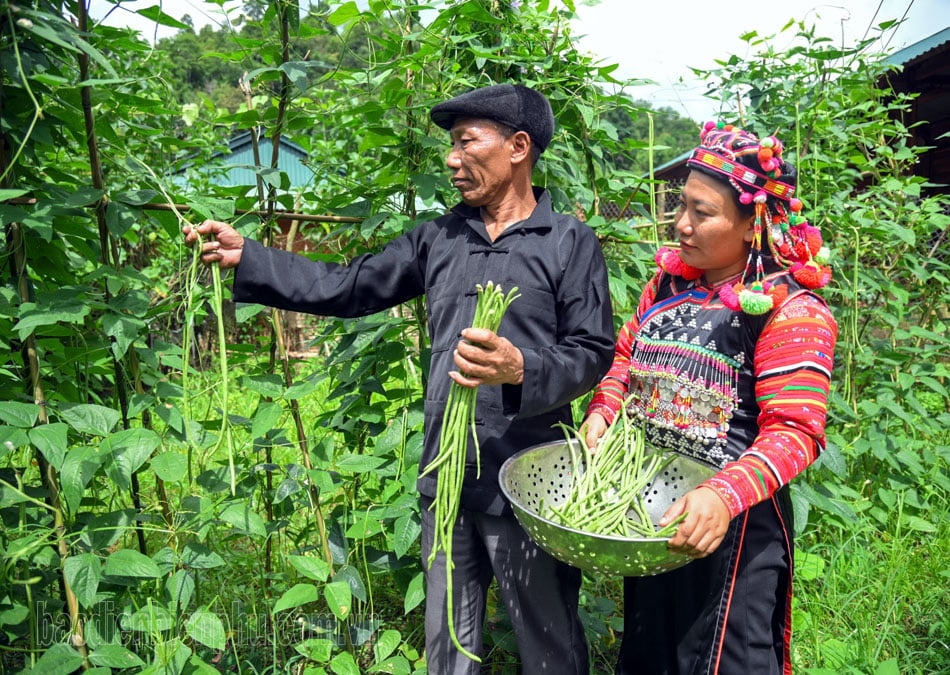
(513, 105)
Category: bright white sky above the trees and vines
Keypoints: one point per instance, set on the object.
(658, 40)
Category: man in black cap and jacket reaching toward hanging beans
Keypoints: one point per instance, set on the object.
(555, 343)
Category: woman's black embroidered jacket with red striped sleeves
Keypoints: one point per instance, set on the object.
(743, 393)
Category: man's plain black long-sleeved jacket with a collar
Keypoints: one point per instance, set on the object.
(562, 321)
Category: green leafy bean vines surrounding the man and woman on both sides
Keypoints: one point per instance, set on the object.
(134, 541)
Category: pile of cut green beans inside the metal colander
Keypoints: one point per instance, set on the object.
(606, 492)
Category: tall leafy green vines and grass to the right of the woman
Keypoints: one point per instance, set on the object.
(876, 495)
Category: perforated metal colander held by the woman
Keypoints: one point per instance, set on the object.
(542, 475)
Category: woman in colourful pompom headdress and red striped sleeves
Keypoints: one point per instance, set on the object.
(727, 360)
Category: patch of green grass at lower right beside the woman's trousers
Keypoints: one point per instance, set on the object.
(869, 601)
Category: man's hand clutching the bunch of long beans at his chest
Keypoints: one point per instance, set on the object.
(486, 358)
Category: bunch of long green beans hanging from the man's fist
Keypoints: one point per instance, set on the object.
(458, 420)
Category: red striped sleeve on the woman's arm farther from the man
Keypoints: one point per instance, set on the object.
(793, 361)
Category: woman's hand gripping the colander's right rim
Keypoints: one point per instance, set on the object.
(705, 525)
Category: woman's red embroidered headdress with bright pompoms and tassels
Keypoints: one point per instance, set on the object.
(757, 171)
